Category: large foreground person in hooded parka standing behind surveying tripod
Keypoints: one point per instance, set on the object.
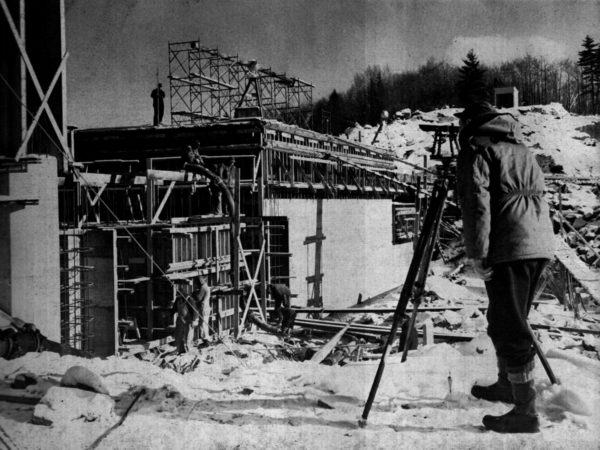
(508, 237)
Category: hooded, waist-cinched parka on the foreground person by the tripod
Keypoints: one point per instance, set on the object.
(500, 189)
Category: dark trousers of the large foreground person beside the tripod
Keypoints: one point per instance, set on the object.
(511, 292)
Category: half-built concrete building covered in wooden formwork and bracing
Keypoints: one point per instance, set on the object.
(318, 213)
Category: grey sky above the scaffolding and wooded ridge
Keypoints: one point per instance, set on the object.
(116, 47)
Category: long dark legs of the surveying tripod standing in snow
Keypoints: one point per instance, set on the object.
(414, 286)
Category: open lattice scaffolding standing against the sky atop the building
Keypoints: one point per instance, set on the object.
(206, 85)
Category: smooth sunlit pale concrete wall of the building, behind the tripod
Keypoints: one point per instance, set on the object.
(358, 255)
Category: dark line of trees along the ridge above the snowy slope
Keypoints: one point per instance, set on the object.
(574, 84)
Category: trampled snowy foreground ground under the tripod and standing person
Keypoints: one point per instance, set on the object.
(243, 402)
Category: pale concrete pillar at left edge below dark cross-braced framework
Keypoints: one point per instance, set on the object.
(29, 247)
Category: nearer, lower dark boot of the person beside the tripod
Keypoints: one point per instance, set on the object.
(523, 417)
